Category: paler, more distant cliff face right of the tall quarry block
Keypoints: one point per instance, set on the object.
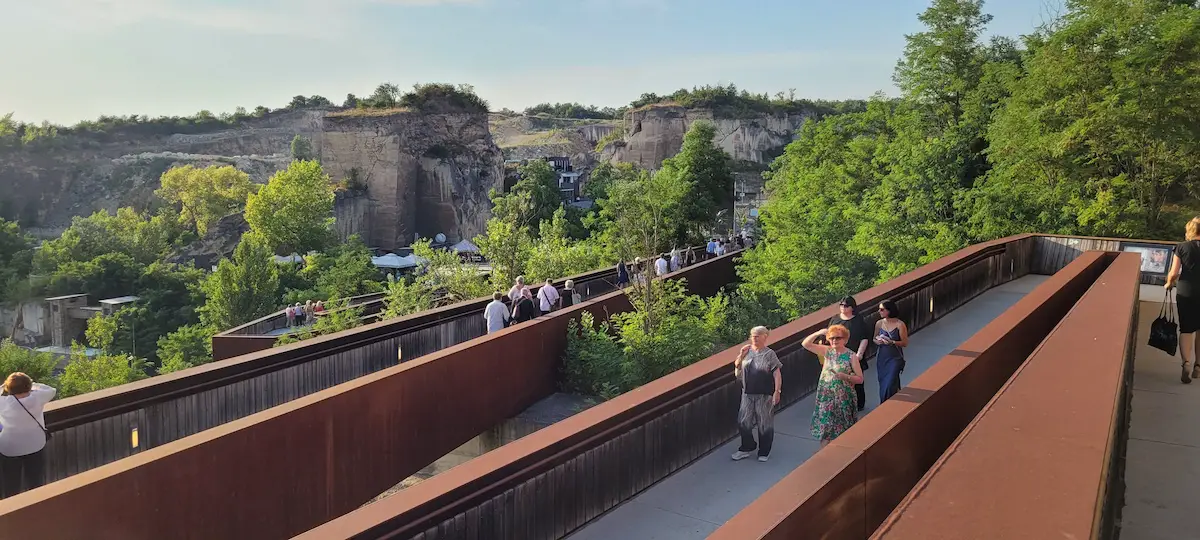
(655, 134)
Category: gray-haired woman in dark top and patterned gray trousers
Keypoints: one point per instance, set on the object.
(759, 370)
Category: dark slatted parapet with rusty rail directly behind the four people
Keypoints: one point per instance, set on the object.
(550, 483)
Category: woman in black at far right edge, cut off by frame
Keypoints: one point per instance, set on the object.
(1185, 279)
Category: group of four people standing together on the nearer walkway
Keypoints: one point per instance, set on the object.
(842, 351)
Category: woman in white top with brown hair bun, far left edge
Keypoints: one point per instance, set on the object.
(23, 434)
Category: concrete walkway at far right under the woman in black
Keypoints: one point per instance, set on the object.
(1163, 459)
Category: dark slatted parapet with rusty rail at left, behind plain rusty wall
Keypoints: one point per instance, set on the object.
(97, 429)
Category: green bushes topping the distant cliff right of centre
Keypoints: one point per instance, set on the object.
(730, 103)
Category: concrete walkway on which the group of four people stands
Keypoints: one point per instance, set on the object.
(698, 500)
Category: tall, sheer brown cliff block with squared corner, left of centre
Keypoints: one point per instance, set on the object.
(424, 173)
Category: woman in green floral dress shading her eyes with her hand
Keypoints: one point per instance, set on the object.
(836, 410)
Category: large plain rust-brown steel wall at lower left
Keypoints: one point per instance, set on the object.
(290, 469)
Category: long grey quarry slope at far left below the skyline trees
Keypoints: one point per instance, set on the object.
(81, 173)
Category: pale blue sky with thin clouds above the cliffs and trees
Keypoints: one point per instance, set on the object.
(68, 61)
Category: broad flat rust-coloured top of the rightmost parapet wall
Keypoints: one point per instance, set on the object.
(1043, 458)
